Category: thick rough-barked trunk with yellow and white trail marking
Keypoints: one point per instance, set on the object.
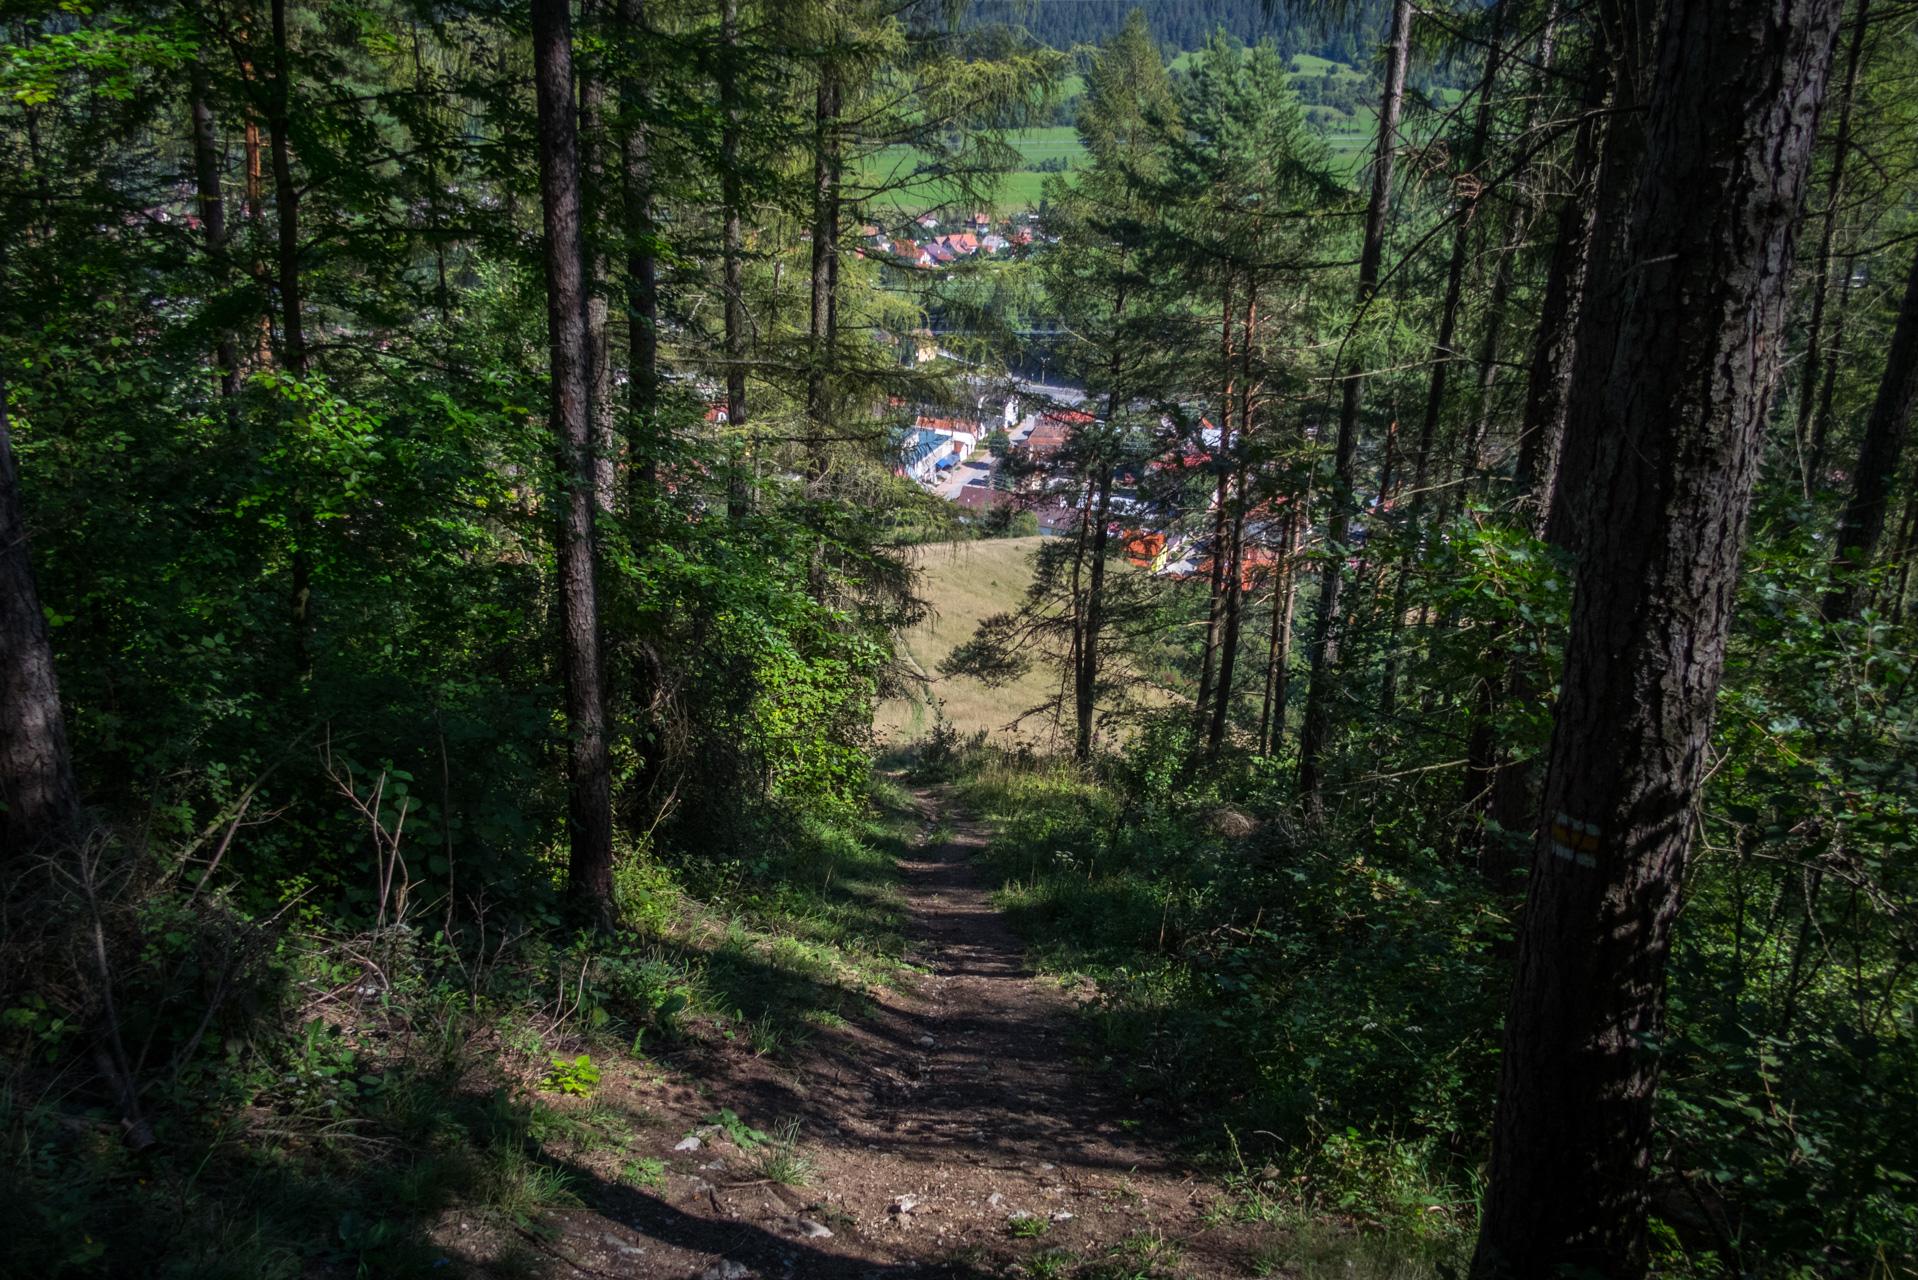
(1664, 510)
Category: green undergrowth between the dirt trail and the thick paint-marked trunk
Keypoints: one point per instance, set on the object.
(1319, 1016)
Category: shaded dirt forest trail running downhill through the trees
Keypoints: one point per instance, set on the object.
(952, 1133)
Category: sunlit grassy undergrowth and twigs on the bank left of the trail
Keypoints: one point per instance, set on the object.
(392, 1104)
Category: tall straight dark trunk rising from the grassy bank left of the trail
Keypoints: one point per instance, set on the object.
(590, 784)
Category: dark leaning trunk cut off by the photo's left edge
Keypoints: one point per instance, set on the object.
(35, 772)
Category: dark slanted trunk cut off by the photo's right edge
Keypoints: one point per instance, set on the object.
(1861, 525)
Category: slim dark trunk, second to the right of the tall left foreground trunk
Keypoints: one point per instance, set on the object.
(642, 262)
